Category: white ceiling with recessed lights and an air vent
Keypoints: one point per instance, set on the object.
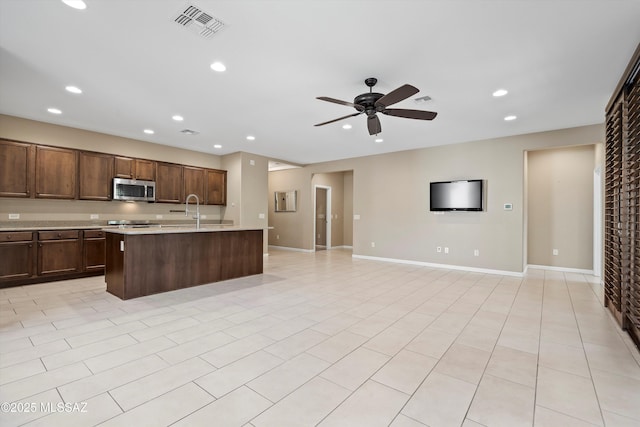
(559, 59)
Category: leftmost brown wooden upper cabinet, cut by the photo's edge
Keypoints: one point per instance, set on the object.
(16, 161)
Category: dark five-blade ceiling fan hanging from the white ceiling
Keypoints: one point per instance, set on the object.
(372, 103)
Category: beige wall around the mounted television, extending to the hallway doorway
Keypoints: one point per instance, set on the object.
(391, 196)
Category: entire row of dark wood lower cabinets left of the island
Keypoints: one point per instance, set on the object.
(43, 256)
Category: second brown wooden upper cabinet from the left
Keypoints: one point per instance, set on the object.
(56, 173)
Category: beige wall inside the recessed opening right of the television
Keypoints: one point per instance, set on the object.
(560, 199)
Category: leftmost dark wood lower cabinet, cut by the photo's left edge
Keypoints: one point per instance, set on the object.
(16, 255)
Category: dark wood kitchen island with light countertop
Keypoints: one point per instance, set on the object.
(145, 261)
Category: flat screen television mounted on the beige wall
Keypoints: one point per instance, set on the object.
(456, 195)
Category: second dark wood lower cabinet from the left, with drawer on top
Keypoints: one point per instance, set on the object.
(59, 252)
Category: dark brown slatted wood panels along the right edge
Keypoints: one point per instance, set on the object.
(622, 202)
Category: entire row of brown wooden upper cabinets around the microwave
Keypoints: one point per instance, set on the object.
(30, 170)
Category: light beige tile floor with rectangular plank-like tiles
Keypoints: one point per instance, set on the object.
(320, 339)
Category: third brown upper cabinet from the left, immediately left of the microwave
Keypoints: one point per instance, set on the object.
(95, 174)
